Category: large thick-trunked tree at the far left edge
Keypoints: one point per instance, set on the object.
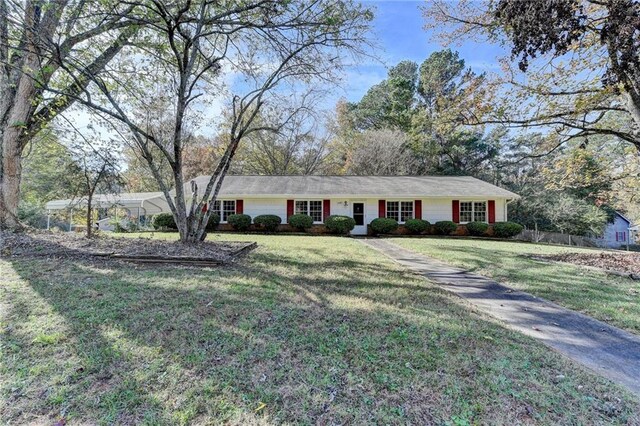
(48, 48)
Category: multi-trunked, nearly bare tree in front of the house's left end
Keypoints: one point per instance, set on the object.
(268, 48)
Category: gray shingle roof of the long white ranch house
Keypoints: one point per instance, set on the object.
(342, 186)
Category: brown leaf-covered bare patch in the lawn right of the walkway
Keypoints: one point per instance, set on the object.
(622, 263)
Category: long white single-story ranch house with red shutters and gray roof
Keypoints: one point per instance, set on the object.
(461, 199)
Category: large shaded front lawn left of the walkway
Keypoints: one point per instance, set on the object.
(304, 330)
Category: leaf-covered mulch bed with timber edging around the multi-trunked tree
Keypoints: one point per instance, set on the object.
(56, 244)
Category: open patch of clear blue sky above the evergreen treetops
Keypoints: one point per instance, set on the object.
(398, 31)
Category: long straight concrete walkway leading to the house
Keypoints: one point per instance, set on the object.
(609, 351)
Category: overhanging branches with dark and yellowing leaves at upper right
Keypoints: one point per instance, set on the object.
(580, 59)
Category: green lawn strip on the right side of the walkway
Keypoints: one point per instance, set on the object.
(604, 296)
